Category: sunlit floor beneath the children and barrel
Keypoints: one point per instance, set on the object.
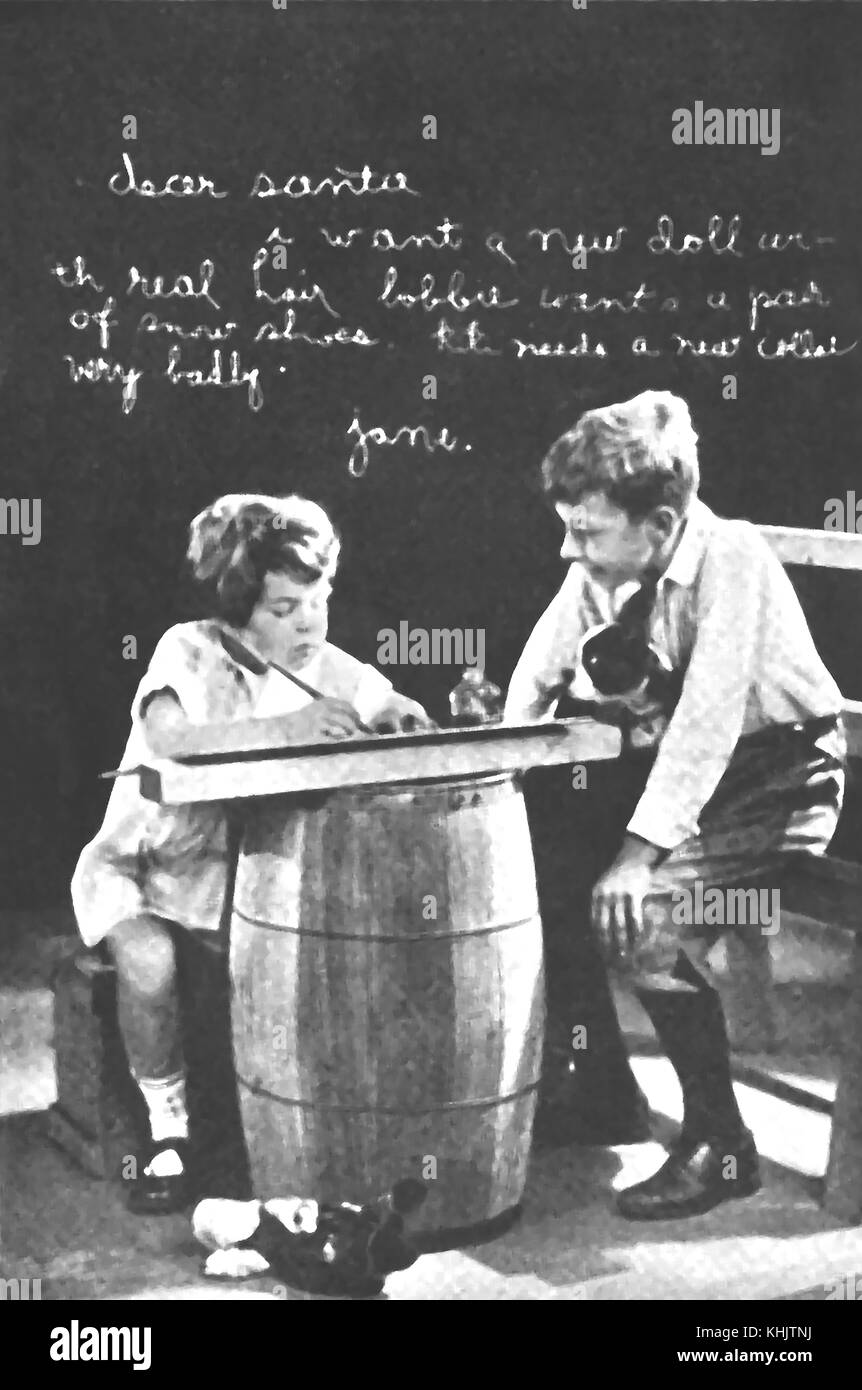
(76, 1235)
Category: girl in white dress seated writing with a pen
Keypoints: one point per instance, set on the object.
(266, 568)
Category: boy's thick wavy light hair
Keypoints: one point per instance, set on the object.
(640, 455)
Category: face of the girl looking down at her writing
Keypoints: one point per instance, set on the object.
(290, 621)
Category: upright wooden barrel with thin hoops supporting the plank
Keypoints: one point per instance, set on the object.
(389, 996)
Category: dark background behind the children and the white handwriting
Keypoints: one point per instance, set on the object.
(547, 117)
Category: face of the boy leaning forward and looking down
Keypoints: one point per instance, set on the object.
(608, 544)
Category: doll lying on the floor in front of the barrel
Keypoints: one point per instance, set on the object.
(343, 1252)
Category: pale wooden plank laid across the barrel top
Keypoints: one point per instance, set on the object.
(401, 758)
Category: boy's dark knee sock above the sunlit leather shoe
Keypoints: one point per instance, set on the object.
(693, 1035)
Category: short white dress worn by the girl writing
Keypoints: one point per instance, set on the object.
(174, 861)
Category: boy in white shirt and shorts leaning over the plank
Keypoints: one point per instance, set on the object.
(749, 762)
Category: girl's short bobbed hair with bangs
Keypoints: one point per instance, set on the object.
(241, 539)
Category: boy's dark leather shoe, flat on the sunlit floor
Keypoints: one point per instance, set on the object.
(693, 1179)
